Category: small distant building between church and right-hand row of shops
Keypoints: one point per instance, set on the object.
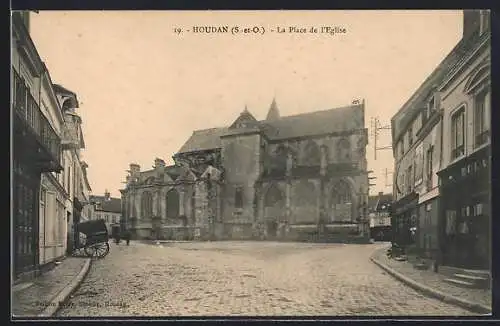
(379, 208)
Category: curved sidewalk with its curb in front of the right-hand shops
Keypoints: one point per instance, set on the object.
(433, 284)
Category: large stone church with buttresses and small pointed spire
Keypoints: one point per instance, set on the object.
(286, 177)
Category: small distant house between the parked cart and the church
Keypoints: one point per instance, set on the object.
(108, 209)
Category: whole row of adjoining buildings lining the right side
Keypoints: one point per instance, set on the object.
(442, 154)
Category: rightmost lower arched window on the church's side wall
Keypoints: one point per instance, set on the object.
(342, 203)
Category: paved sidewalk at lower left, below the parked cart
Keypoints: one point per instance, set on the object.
(41, 296)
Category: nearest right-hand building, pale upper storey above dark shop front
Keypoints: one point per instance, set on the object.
(465, 214)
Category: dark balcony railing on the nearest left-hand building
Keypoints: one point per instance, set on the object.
(27, 109)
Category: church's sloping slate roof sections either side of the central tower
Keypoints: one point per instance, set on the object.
(305, 124)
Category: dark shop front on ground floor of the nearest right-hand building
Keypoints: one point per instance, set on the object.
(465, 215)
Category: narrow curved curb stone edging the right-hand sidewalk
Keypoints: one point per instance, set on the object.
(473, 307)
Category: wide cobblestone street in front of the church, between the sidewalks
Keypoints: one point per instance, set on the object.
(245, 278)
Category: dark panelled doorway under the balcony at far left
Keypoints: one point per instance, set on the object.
(26, 222)
